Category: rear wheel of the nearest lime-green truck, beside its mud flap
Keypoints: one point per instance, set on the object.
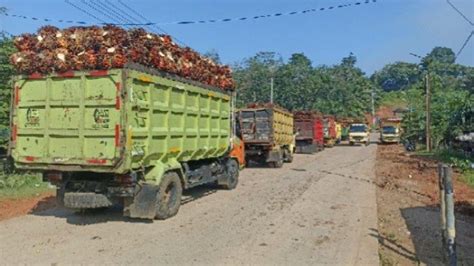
(169, 196)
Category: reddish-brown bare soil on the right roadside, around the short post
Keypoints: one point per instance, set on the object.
(408, 210)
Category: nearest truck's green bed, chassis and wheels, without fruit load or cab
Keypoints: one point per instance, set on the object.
(133, 135)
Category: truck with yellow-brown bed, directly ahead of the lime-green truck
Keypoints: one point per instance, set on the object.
(267, 132)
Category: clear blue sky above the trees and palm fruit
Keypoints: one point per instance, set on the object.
(377, 33)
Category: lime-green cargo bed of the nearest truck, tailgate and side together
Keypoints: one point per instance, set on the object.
(116, 122)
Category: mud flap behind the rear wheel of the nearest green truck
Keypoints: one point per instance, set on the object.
(144, 203)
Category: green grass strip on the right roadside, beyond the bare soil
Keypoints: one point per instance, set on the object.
(457, 159)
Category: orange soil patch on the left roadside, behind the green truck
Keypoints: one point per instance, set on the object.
(10, 208)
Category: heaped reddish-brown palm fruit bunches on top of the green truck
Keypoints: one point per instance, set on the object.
(100, 48)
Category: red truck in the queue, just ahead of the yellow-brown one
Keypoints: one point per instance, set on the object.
(309, 132)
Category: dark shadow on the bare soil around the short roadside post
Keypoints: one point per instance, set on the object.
(424, 226)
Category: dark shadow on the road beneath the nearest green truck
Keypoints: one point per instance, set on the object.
(48, 207)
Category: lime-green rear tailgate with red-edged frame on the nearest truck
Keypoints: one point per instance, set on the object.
(69, 119)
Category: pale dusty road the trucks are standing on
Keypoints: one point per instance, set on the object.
(316, 210)
